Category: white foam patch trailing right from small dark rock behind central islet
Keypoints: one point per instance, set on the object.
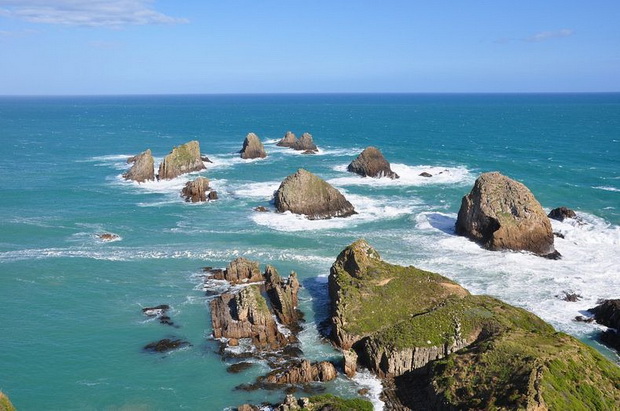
(409, 176)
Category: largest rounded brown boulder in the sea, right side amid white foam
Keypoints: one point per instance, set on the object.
(502, 214)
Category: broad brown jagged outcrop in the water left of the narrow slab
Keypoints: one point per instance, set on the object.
(246, 315)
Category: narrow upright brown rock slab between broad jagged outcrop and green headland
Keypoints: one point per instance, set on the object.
(282, 294)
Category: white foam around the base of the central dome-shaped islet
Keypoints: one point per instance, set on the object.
(368, 209)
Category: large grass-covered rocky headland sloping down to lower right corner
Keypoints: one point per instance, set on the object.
(477, 352)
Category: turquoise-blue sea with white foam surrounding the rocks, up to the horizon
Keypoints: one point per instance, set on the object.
(72, 329)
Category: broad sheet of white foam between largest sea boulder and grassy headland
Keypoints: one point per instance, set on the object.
(589, 266)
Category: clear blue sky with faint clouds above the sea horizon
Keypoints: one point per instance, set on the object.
(267, 46)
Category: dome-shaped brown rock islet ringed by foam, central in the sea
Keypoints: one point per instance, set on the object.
(305, 193)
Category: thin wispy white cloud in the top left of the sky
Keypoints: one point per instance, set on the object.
(93, 13)
